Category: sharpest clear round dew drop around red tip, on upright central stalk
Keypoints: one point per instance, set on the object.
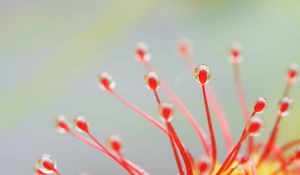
(202, 74)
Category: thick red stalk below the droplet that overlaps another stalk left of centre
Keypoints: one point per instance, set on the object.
(182, 149)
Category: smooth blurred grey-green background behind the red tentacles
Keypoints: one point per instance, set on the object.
(51, 52)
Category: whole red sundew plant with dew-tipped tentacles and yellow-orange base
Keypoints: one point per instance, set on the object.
(259, 158)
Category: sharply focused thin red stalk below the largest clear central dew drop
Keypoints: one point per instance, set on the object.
(211, 131)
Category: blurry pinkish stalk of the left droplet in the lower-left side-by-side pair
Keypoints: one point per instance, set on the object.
(92, 144)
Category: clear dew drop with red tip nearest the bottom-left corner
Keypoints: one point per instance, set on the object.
(47, 164)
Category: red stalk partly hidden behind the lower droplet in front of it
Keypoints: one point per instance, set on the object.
(172, 141)
